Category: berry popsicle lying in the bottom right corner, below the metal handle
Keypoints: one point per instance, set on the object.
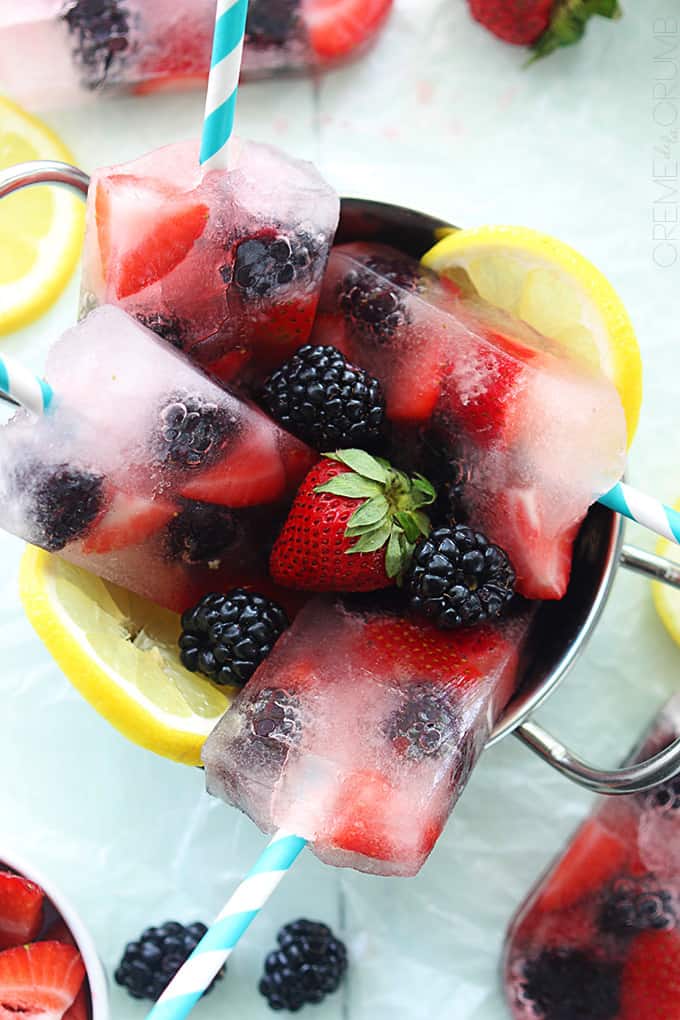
(599, 938)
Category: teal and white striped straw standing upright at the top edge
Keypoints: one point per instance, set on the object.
(223, 82)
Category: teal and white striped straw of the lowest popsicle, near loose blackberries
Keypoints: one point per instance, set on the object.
(219, 943)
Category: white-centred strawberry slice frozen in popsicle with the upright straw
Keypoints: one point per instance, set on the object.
(145, 231)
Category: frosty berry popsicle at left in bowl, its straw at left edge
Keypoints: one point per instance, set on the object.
(146, 472)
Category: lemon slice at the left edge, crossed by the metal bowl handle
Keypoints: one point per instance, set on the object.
(41, 228)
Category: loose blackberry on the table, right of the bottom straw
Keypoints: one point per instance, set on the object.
(308, 965)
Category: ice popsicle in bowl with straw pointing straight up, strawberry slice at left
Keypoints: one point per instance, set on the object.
(225, 266)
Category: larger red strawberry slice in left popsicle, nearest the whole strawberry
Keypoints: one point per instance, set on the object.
(251, 473)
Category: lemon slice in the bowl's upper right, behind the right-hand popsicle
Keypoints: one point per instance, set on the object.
(557, 291)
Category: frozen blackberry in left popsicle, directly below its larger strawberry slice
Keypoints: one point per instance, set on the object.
(201, 533)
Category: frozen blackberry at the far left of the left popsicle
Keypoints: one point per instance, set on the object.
(62, 501)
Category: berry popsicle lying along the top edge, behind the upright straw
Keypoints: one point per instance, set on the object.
(54, 52)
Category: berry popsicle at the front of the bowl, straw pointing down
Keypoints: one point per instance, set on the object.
(360, 731)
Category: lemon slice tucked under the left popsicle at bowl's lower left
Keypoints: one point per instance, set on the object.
(121, 652)
